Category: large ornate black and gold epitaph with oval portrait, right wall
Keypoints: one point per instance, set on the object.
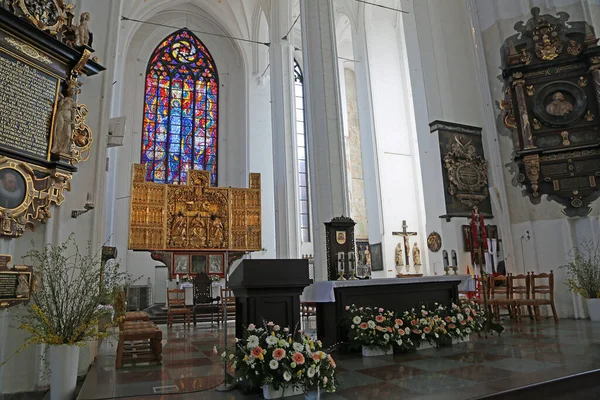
(551, 71)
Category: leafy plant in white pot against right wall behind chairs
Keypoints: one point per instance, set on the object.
(583, 275)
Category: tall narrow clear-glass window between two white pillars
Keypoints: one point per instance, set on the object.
(301, 155)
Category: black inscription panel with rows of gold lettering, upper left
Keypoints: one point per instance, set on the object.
(27, 101)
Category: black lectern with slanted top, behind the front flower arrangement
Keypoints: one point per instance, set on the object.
(268, 290)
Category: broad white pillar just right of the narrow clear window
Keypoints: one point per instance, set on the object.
(323, 114)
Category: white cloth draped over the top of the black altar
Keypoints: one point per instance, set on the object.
(323, 292)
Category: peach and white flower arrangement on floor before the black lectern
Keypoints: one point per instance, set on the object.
(277, 356)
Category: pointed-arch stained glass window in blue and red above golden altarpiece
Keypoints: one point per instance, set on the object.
(180, 111)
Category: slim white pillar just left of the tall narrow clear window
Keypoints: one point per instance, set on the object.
(282, 120)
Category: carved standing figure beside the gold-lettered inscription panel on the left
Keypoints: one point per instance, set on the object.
(64, 123)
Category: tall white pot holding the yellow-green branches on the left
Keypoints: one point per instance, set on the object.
(64, 360)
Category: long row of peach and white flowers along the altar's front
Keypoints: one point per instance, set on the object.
(376, 327)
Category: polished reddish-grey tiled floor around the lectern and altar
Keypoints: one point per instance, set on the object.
(525, 353)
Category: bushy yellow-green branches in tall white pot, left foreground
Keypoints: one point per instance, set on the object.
(64, 309)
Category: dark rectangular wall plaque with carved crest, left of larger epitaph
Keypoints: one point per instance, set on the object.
(464, 169)
